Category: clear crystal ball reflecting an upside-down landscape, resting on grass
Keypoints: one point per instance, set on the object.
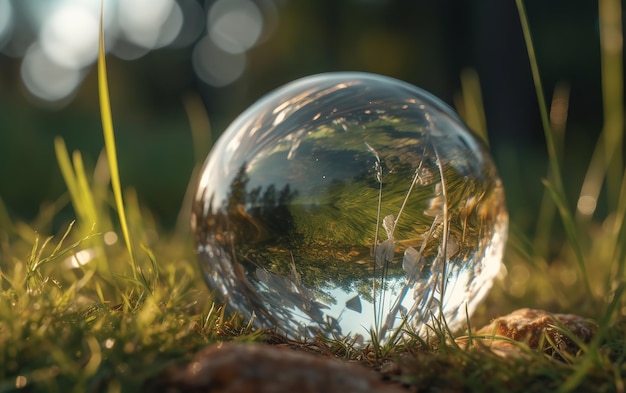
(350, 205)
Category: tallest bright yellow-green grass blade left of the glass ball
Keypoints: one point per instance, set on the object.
(109, 143)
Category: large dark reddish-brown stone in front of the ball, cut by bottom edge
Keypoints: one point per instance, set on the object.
(238, 368)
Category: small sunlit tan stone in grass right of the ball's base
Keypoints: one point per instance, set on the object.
(532, 327)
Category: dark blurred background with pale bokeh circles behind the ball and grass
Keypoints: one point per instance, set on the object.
(167, 58)
